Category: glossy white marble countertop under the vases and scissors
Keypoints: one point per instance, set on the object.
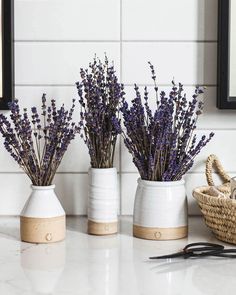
(112, 265)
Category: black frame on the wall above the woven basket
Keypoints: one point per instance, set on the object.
(224, 100)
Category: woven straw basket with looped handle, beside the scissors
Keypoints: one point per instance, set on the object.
(219, 211)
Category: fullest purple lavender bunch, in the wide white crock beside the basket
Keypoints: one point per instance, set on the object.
(162, 143)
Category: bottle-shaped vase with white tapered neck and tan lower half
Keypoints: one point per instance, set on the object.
(42, 219)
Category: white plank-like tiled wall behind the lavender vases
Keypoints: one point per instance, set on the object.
(54, 38)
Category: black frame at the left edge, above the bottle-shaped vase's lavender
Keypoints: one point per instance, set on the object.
(7, 53)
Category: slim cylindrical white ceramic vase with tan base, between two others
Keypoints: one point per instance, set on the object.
(102, 201)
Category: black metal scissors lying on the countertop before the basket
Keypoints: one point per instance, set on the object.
(200, 249)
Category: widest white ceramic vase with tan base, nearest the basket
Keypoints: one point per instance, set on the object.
(160, 210)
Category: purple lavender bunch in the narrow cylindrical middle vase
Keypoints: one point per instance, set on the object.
(99, 96)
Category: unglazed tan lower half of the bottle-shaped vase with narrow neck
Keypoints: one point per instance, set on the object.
(42, 230)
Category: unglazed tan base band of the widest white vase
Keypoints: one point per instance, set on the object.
(155, 233)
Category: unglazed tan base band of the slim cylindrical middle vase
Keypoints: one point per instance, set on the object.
(102, 228)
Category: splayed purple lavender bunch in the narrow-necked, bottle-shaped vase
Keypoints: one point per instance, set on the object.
(38, 142)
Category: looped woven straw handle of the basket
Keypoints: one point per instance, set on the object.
(213, 160)
